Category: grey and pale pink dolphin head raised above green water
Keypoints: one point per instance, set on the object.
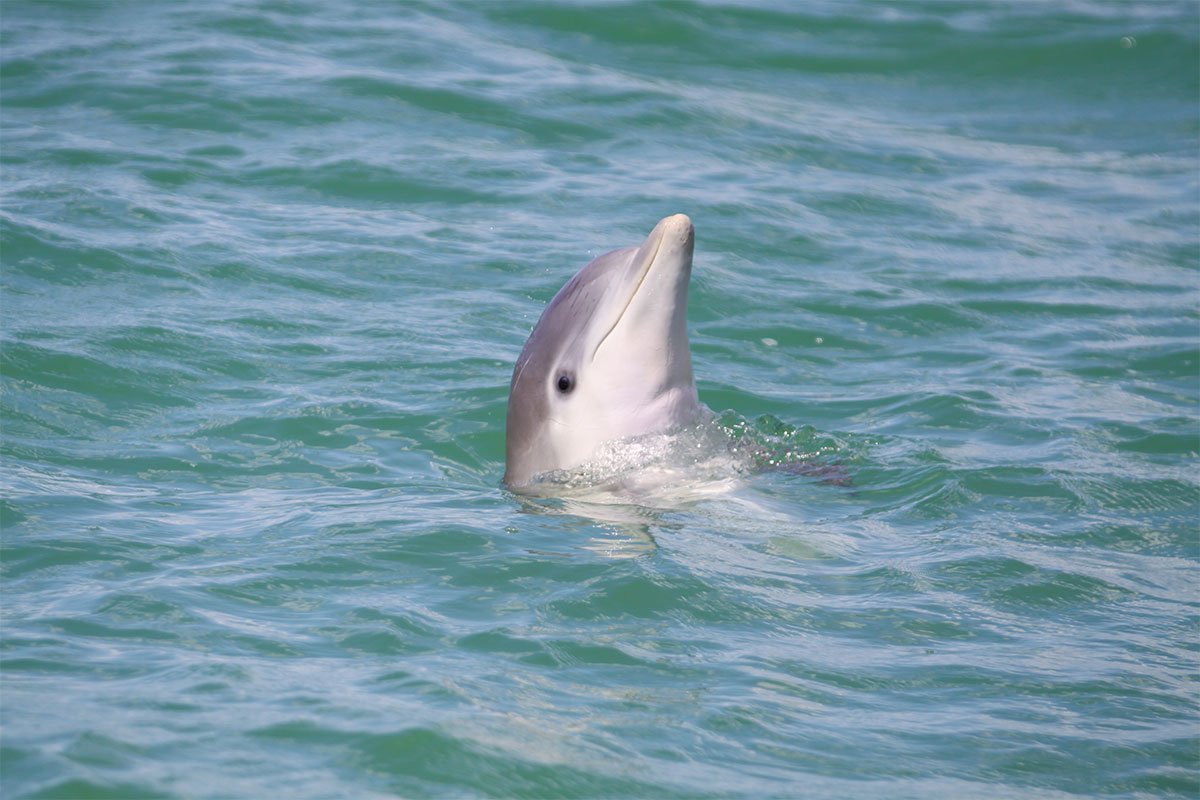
(609, 358)
